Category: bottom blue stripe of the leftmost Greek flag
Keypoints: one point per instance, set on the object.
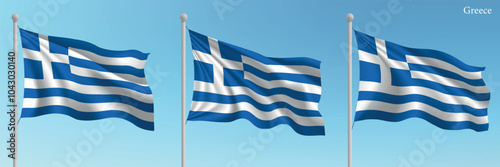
(56, 109)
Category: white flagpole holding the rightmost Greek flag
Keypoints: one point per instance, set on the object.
(349, 17)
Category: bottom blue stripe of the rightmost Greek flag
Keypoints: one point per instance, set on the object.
(397, 117)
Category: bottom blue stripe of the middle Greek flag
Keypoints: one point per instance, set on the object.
(221, 117)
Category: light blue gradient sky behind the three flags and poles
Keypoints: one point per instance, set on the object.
(292, 28)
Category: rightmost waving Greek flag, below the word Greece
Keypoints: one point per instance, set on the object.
(397, 83)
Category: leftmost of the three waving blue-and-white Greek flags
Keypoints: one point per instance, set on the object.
(81, 80)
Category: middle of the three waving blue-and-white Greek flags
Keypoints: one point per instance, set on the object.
(233, 83)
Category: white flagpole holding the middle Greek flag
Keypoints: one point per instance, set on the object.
(183, 117)
